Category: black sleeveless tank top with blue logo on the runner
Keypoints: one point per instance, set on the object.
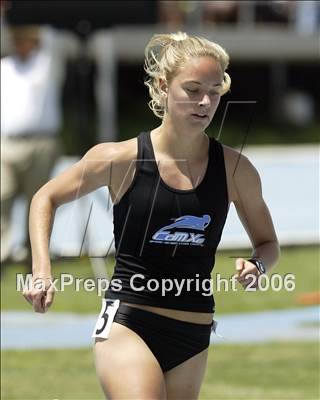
(166, 238)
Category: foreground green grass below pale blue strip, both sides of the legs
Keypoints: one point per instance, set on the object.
(268, 371)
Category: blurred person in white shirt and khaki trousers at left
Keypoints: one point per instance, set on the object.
(32, 76)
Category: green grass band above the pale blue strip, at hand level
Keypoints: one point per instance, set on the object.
(303, 262)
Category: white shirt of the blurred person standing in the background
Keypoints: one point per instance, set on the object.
(31, 90)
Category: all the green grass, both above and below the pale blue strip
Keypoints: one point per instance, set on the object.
(258, 372)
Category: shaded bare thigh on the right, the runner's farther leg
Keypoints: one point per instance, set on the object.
(184, 381)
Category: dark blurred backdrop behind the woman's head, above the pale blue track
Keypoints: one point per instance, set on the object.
(273, 47)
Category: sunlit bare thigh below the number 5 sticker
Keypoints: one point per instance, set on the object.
(126, 367)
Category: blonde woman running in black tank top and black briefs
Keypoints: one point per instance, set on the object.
(171, 188)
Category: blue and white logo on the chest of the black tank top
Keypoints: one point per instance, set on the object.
(175, 233)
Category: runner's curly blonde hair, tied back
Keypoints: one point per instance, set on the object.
(166, 53)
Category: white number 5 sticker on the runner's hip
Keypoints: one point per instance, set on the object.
(105, 319)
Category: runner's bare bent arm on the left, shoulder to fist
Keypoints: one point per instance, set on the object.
(87, 175)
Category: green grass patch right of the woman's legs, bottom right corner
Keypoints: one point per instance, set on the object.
(268, 371)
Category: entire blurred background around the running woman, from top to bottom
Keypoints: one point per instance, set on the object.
(72, 76)
